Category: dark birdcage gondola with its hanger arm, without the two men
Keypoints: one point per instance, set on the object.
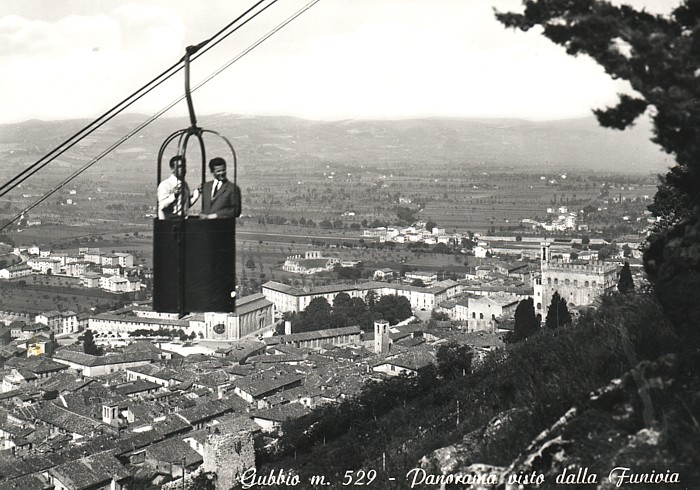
(194, 260)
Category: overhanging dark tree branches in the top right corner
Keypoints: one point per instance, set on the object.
(657, 55)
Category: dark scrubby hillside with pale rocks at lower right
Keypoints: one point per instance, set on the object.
(616, 389)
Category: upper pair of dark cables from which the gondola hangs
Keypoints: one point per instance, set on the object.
(64, 146)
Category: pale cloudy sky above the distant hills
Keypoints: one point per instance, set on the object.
(342, 59)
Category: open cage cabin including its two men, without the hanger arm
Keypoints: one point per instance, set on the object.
(194, 258)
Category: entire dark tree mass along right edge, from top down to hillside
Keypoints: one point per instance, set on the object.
(658, 56)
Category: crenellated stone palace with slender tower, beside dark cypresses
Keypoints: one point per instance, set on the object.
(579, 283)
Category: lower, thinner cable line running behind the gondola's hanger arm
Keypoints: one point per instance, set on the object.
(160, 113)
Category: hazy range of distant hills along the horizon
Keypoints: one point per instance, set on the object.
(575, 144)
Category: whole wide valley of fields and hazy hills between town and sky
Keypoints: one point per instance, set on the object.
(309, 185)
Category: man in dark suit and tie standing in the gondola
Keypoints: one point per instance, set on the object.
(220, 198)
